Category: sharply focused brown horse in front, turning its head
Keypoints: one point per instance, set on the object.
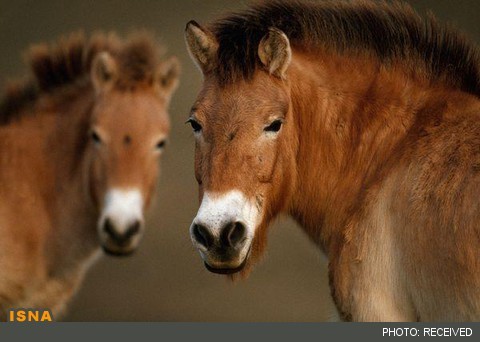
(362, 121)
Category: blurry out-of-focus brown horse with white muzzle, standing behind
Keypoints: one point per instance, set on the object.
(79, 155)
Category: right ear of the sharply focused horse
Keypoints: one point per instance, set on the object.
(275, 53)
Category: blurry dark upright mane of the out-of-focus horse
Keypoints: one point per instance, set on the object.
(68, 62)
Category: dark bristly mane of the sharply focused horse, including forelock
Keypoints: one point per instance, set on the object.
(389, 31)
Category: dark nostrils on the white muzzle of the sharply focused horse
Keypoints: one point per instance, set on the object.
(232, 235)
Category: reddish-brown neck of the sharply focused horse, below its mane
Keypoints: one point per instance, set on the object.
(351, 114)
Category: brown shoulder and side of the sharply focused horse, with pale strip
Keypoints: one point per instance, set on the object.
(420, 223)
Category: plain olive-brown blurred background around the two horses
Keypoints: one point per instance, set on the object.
(165, 280)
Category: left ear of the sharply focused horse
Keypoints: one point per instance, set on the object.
(201, 45)
